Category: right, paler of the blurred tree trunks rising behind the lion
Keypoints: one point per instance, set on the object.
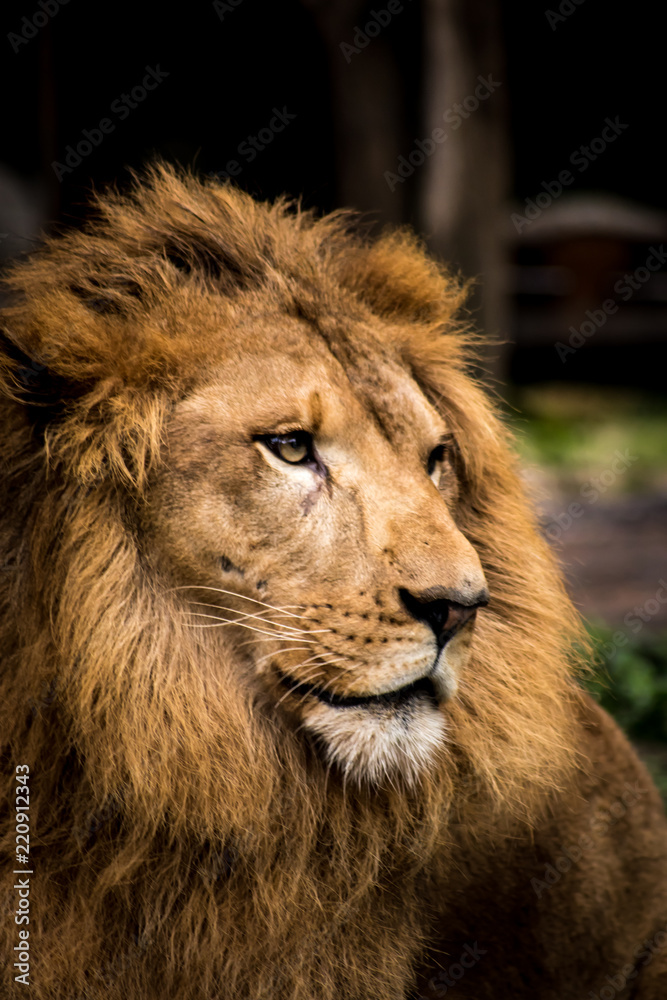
(466, 179)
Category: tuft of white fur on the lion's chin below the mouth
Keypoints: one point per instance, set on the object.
(380, 743)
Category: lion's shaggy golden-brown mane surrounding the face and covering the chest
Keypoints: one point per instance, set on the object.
(185, 841)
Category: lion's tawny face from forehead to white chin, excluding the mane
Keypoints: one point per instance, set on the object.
(307, 500)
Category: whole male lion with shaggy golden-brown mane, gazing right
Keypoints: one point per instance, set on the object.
(290, 696)
